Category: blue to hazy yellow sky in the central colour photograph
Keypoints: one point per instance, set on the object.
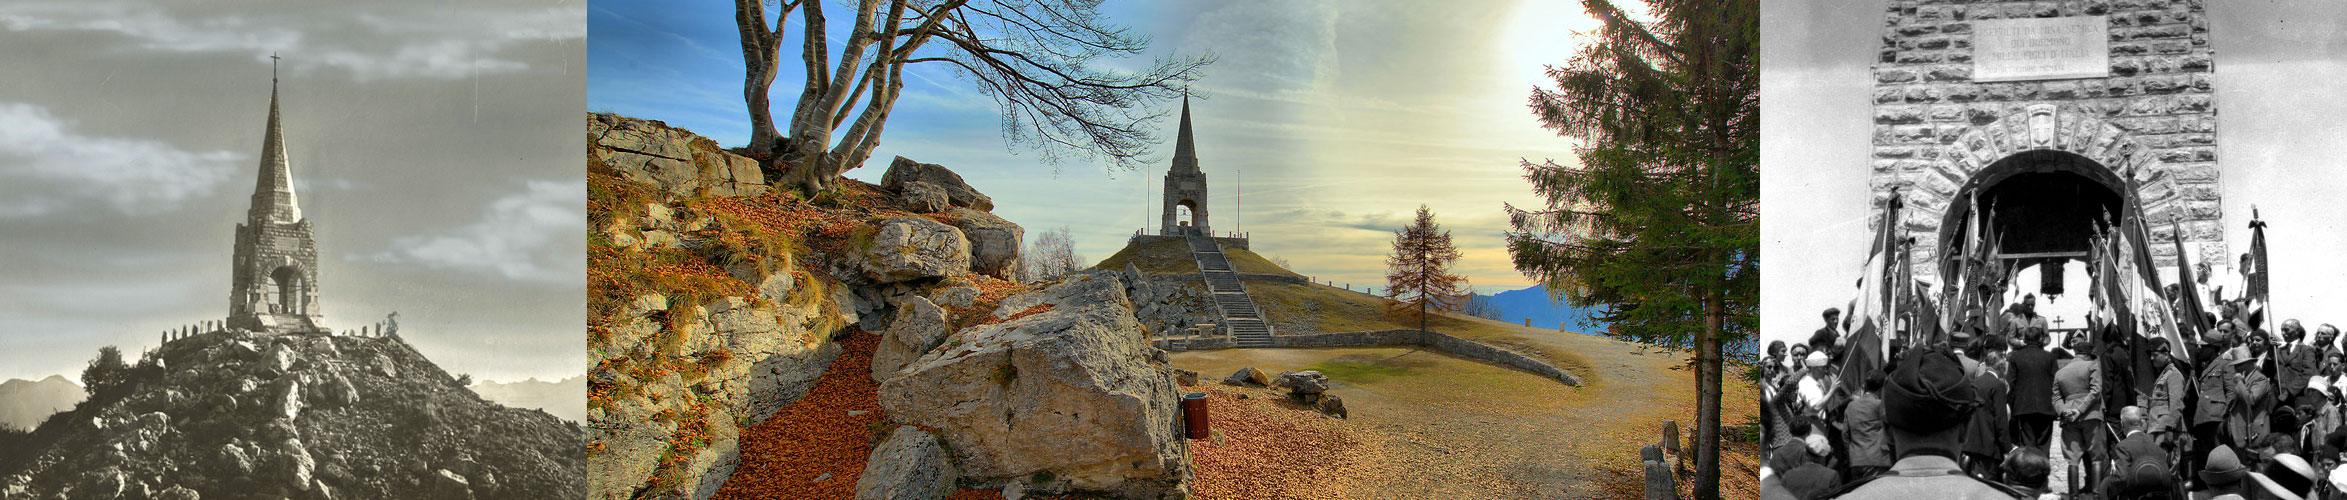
(1344, 119)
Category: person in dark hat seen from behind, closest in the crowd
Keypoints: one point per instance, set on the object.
(1928, 400)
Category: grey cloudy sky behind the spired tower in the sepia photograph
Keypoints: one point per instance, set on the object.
(435, 149)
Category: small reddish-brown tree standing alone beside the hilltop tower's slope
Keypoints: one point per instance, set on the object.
(1419, 276)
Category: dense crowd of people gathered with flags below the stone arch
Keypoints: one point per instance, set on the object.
(1975, 412)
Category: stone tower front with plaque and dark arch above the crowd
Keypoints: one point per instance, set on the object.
(2045, 121)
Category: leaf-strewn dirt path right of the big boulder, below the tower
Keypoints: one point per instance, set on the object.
(1440, 426)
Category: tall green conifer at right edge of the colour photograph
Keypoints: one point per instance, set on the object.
(1661, 212)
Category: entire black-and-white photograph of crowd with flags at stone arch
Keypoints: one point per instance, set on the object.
(2055, 250)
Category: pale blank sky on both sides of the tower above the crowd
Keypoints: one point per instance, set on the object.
(2280, 76)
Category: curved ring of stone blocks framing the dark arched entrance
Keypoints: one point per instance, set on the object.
(2029, 144)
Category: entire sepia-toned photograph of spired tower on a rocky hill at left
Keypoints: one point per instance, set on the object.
(292, 250)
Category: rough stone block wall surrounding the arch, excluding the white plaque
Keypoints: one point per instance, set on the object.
(2153, 119)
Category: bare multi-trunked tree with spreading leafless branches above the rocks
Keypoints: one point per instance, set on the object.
(1032, 58)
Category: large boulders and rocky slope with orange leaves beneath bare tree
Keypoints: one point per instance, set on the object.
(719, 311)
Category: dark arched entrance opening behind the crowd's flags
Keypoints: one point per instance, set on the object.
(2045, 210)
